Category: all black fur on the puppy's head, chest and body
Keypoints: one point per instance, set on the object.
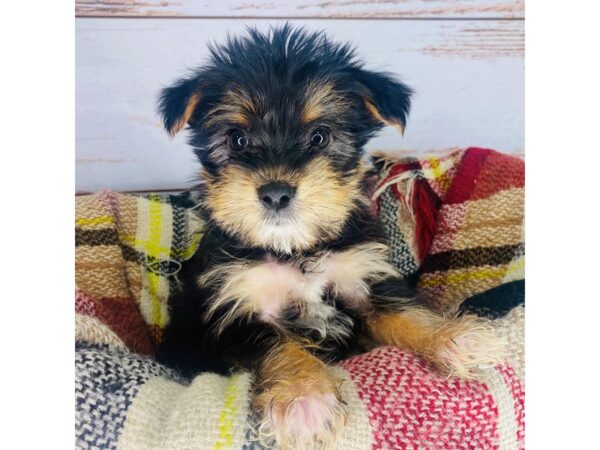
(276, 70)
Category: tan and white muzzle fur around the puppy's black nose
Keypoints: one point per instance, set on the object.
(318, 211)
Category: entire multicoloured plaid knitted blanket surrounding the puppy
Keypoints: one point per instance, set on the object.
(463, 251)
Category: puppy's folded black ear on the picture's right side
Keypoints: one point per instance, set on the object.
(386, 99)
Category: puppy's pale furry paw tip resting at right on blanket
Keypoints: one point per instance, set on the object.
(468, 345)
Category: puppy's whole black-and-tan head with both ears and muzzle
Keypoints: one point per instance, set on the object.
(279, 122)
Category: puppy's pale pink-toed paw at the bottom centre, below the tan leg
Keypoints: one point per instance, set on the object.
(294, 418)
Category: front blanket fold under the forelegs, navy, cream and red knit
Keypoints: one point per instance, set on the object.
(394, 400)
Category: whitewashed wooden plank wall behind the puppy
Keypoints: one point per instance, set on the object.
(464, 58)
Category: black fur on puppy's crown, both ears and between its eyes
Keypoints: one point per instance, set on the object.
(276, 68)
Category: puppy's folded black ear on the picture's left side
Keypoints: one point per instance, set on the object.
(178, 103)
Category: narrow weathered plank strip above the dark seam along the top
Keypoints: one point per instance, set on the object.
(304, 8)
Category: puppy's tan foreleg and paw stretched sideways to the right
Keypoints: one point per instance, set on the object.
(457, 346)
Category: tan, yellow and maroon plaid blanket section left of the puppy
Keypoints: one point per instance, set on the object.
(128, 251)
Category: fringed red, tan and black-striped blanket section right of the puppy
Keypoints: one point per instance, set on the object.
(455, 223)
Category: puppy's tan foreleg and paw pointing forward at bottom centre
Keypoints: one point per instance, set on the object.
(298, 400)
